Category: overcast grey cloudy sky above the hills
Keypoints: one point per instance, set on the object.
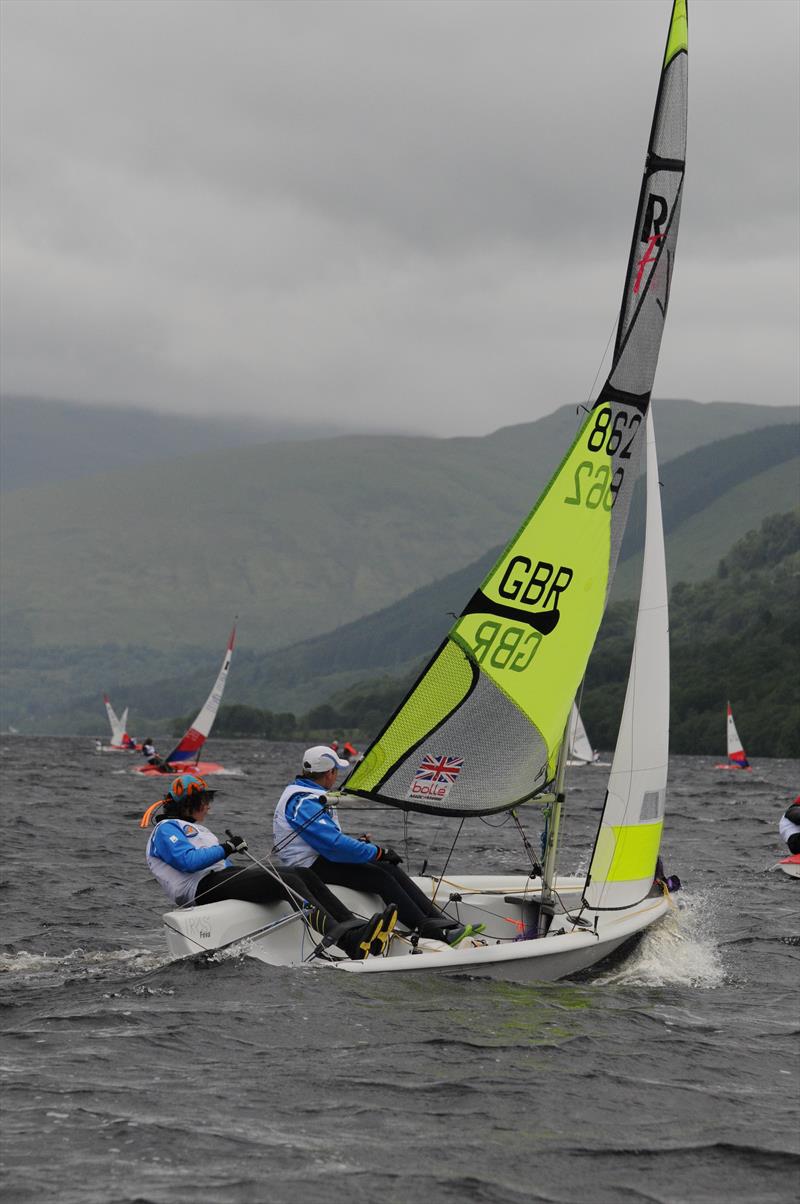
(407, 215)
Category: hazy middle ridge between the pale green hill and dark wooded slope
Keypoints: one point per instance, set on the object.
(393, 640)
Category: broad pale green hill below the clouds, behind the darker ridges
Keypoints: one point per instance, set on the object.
(296, 538)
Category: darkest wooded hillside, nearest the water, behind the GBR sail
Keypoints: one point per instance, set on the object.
(733, 638)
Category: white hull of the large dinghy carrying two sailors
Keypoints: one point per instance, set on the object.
(279, 937)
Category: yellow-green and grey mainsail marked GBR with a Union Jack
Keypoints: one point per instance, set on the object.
(481, 729)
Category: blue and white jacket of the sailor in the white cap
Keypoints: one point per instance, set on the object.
(307, 828)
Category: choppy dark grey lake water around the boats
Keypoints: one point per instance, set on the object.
(670, 1078)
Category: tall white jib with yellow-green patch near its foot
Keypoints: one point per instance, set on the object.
(631, 829)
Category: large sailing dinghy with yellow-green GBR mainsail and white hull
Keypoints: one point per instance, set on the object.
(486, 727)
